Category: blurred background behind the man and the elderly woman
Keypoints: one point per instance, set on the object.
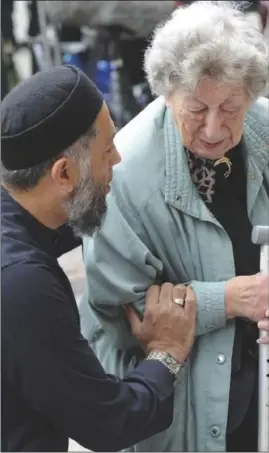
(107, 40)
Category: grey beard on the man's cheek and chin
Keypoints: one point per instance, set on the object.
(87, 208)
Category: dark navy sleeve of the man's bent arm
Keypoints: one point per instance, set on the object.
(51, 366)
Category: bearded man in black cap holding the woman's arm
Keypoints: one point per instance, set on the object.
(57, 159)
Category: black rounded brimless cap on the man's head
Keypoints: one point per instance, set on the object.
(46, 114)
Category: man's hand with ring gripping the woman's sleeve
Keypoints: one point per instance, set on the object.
(167, 326)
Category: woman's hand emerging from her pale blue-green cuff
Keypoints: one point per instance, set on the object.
(247, 297)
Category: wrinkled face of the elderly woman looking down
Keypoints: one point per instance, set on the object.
(210, 120)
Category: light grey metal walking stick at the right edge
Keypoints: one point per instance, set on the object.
(260, 235)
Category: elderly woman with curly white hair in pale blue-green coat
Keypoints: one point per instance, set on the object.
(193, 181)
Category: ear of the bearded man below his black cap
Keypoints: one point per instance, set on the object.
(65, 174)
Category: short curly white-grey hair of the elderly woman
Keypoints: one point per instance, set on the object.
(207, 38)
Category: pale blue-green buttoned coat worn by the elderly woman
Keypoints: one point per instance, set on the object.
(158, 229)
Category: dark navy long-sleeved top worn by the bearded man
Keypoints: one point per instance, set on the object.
(53, 386)
